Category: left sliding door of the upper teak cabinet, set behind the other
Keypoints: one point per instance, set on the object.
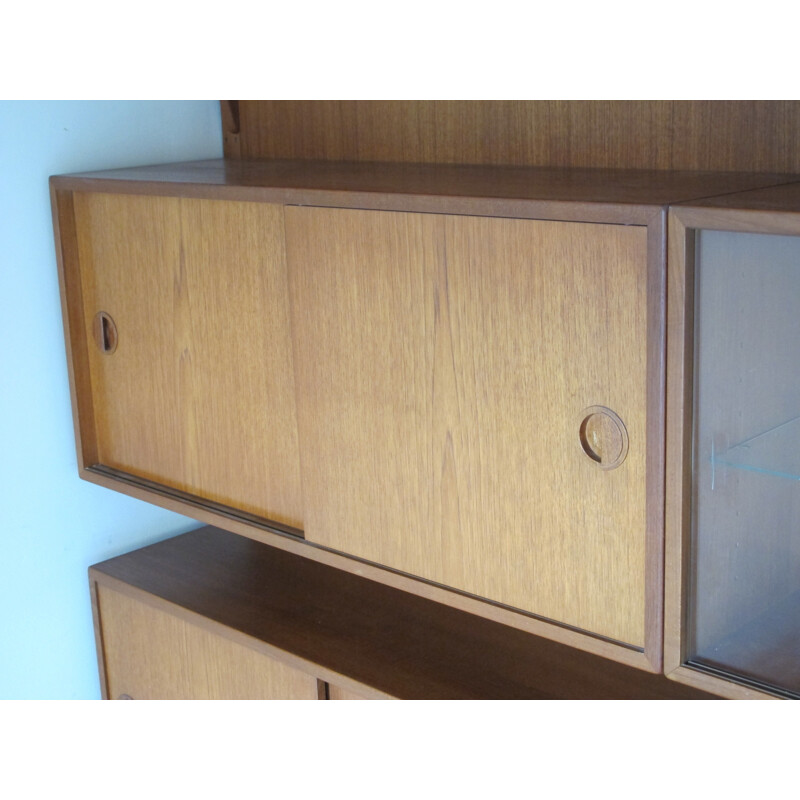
(198, 394)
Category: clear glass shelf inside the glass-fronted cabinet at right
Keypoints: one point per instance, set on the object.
(774, 452)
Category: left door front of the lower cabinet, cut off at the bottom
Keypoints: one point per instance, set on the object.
(151, 655)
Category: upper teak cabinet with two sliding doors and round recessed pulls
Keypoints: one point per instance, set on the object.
(451, 380)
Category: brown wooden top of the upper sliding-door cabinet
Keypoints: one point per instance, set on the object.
(420, 187)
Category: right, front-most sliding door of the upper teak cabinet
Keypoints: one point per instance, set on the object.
(442, 367)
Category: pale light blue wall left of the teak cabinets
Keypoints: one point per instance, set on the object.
(53, 525)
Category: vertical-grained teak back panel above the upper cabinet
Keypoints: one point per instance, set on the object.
(645, 134)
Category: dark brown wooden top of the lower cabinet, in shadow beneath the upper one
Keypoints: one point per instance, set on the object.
(363, 636)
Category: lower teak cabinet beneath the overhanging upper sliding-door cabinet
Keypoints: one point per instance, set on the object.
(213, 615)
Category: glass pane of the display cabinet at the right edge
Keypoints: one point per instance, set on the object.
(745, 591)
